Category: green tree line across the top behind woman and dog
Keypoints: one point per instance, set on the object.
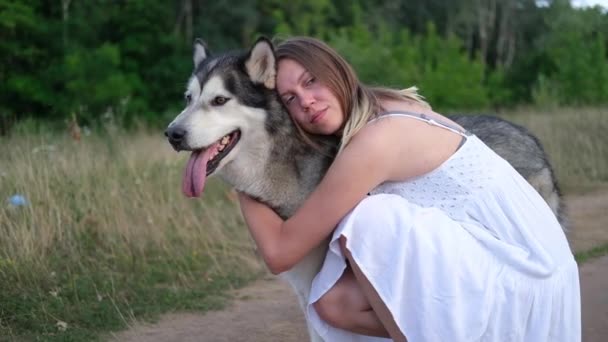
(129, 59)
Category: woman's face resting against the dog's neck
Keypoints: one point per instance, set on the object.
(311, 104)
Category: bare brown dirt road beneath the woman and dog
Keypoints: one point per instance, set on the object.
(267, 310)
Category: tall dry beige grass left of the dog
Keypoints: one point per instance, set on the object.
(122, 189)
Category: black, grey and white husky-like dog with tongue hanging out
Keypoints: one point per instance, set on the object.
(236, 128)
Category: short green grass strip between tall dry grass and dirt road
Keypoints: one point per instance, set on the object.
(92, 300)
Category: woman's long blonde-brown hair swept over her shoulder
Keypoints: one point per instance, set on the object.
(360, 103)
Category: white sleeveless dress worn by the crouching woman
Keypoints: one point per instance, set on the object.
(467, 252)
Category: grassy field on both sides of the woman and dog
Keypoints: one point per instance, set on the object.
(105, 235)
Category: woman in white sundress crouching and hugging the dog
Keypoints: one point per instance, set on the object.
(452, 245)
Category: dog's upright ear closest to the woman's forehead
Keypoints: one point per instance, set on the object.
(261, 63)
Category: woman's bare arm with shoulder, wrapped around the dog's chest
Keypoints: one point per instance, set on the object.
(374, 155)
